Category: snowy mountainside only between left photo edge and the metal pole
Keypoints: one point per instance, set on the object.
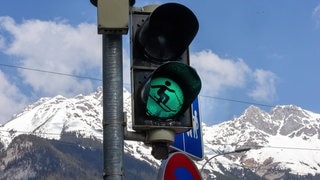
(49, 117)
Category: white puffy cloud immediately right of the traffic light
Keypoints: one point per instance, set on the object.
(218, 74)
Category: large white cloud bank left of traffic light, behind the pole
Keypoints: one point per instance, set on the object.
(50, 46)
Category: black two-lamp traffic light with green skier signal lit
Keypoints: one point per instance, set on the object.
(163, 83)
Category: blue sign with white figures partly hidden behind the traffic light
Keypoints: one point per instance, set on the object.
(191, 141)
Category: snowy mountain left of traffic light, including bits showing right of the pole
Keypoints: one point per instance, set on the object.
(82, 115)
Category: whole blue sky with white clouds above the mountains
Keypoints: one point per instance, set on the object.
(246, 52)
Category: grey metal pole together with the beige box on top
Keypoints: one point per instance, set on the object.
(112, 25)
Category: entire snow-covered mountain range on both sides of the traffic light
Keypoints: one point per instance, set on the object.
(284, 142)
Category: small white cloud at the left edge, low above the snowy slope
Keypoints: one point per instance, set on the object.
(11, 99)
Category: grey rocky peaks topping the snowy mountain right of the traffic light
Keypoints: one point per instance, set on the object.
(287, 120)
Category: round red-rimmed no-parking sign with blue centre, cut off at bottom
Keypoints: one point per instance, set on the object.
(179, 167)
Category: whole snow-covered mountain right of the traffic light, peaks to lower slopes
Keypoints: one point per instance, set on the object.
(284, 141)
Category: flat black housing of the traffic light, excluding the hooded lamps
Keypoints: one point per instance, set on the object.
(141, 70)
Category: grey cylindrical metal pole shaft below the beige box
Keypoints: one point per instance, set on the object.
(113, 133)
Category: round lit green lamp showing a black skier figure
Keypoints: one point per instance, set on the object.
(165, 98)
